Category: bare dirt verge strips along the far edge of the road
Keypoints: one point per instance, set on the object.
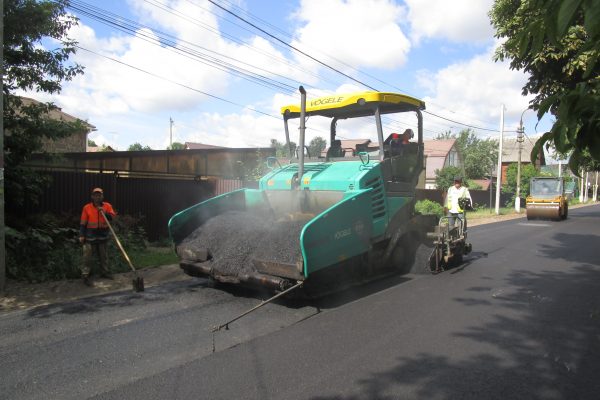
(22, 295)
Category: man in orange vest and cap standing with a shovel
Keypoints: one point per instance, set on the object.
(93, 234)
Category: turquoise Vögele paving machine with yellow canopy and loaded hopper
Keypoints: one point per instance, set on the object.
(320, 221)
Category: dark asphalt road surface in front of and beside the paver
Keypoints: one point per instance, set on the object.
(519, 320)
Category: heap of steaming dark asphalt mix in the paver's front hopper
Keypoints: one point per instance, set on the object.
(234, 238)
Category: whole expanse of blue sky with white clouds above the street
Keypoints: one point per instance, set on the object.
(437, 50)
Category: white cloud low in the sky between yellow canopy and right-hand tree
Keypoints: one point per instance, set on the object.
(473, 91)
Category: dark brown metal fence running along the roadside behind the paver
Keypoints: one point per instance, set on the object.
(156, 200)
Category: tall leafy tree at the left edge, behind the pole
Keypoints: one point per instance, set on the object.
(28, 66)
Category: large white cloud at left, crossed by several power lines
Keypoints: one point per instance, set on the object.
(117, 82)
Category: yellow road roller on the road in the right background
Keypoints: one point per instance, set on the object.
(547, 199)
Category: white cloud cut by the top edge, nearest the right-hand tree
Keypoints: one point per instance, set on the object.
(455, 20)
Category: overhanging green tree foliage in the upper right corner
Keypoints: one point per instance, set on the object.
(557, 42)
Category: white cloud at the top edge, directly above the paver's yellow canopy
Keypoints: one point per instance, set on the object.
(360, 33)
